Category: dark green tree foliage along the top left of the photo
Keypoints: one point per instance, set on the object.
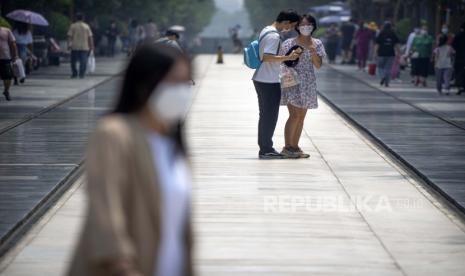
(194, 14)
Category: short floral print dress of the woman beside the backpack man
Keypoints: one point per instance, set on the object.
(303, 95)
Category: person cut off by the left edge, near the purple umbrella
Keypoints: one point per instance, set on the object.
(8, 53)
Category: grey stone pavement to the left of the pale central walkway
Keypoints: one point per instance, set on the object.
(42, 133)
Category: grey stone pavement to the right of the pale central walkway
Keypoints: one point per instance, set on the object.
(419, 126)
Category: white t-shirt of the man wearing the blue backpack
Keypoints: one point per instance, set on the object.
(268, 72)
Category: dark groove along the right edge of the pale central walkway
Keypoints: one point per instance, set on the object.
(444, 197)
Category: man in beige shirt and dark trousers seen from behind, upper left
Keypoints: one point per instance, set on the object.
(81, 43)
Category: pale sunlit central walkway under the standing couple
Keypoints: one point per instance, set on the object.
(281, 217)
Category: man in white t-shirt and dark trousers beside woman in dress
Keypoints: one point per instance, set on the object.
(267, 83)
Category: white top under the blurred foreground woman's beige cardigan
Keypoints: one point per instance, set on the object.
(175, 196)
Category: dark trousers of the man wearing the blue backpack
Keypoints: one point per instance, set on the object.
(269, 97)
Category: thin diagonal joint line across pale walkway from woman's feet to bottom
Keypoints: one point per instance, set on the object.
(396, 264)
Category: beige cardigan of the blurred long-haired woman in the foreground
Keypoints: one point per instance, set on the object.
(123, 219)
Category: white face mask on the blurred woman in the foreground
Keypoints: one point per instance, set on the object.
(171, 102)
